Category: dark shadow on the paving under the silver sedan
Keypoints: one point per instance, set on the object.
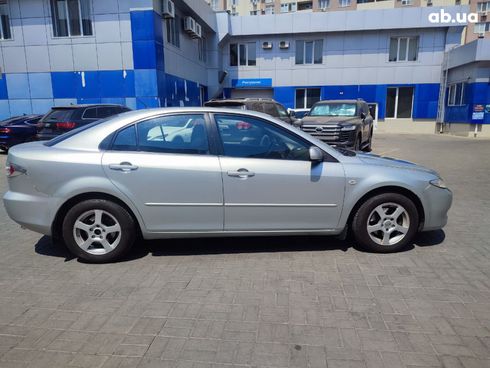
(233, 245)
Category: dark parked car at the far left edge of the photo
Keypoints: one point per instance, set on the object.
(18, 129)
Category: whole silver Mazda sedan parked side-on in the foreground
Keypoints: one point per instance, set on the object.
(231, 173)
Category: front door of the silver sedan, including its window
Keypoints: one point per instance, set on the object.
(269, 183)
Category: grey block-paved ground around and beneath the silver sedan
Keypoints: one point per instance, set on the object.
(263, 302)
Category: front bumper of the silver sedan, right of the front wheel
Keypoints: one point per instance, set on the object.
(437, 204)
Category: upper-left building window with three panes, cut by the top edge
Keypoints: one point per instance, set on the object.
(71, 18)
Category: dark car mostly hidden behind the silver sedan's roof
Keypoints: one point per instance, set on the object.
(265, 105)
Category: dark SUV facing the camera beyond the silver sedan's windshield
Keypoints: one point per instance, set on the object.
(344, 123)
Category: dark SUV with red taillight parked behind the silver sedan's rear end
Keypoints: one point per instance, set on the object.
(62, 119)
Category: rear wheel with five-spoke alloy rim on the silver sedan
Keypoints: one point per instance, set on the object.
(98, 230)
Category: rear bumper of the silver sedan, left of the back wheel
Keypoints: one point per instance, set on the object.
(30, 211)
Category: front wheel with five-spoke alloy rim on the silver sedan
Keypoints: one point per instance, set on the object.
(385, 223)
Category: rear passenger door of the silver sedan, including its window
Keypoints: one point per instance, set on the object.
(175, 183)
